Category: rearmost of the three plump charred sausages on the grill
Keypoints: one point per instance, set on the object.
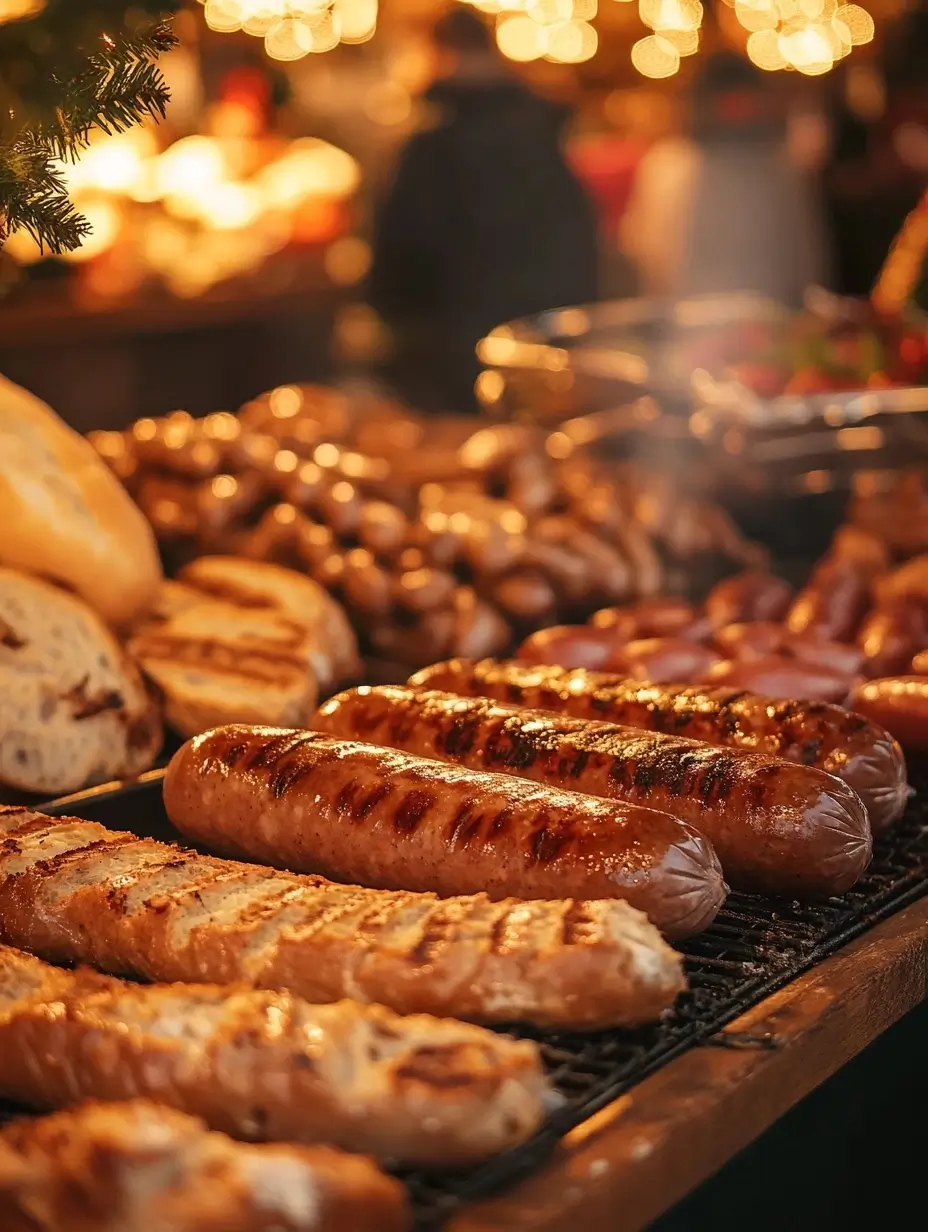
(847, 746)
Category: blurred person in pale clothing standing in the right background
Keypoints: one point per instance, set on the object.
(724, 208)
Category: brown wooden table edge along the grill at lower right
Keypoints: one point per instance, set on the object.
(651, 1148)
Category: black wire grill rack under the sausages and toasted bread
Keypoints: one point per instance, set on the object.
(756, 947)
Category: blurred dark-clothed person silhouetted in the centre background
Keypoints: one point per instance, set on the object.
(485, 221)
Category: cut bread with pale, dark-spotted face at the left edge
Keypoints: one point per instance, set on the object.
(73, 708)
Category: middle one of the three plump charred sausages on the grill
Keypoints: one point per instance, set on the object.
(779, 829)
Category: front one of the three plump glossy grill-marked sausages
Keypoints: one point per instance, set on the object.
(381, 819)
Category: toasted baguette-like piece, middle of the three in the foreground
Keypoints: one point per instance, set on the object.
(268, 1065)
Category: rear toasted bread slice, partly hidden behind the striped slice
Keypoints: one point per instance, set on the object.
(253, 583)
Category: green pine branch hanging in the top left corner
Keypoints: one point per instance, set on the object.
(81, 65)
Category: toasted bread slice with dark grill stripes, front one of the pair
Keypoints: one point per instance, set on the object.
(218, 663)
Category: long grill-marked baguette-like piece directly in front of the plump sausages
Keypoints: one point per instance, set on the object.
(73, 891)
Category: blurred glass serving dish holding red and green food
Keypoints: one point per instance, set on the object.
(736, 395)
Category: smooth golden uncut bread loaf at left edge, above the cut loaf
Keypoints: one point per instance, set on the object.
(66, 517)
